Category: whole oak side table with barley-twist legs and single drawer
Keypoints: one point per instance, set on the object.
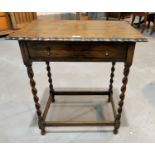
(77, 41)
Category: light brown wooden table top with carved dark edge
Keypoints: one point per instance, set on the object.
(75, 30)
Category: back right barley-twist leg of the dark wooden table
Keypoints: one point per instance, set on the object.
(111, 80)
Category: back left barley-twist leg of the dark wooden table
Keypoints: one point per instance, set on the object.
(50, 81)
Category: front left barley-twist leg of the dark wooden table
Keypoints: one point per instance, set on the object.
(35, 98)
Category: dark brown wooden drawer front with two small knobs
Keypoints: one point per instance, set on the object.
(76, 51)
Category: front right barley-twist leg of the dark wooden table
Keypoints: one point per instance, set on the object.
(122, 96)
